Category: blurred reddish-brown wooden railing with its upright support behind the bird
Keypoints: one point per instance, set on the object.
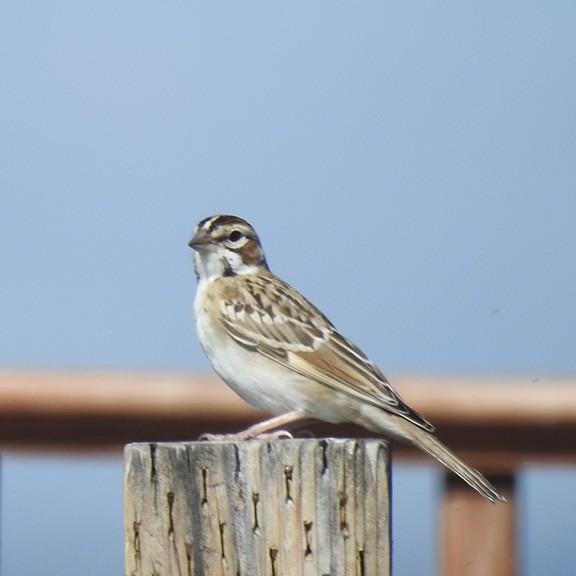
(497, 424)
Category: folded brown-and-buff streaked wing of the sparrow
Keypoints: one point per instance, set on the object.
(274, 320)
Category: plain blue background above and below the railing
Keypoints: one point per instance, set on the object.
(411, 168)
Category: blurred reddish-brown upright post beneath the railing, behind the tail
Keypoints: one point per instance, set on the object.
(479, 537)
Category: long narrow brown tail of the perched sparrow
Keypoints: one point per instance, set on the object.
(432, 446)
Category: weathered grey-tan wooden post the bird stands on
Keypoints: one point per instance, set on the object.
(281, 508)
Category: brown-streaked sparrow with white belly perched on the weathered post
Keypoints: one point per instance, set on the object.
(282, 355)
